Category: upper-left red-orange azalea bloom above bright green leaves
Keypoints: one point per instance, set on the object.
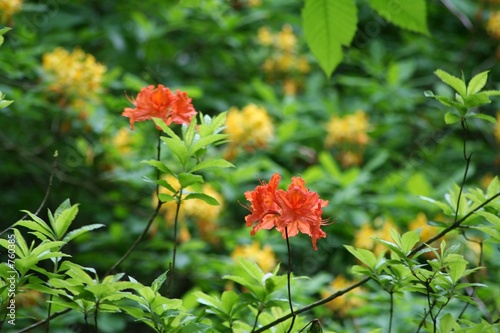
(160, 103)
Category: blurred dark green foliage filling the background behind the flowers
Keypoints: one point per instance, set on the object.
(213, 50)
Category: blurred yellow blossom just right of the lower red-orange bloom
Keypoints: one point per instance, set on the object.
(364, 238)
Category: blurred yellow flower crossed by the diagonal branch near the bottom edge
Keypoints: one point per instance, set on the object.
(345, 302)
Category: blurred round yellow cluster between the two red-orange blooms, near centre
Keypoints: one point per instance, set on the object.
(250, 128)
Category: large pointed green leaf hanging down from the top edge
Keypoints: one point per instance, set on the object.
(329, 24)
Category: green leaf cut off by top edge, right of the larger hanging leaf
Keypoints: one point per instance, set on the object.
(410, 15)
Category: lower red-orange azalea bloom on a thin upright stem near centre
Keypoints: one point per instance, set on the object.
(296, 209)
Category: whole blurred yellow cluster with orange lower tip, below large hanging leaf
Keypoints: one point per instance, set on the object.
(349, 134)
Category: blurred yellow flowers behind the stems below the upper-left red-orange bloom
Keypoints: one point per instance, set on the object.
(202, 213)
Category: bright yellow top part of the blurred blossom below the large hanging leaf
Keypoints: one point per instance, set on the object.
(351, 128)
